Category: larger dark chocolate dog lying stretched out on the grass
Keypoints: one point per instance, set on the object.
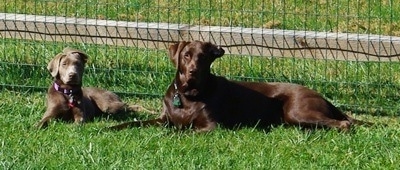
(198, 99)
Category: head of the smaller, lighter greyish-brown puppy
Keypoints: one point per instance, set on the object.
(68, 66)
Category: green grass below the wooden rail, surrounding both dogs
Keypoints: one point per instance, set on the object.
(141, 76)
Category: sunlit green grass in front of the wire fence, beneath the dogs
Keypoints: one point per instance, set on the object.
(70, 146)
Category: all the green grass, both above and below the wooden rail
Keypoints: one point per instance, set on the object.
(366, 90)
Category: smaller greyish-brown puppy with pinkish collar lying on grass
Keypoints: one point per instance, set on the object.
(67, 100)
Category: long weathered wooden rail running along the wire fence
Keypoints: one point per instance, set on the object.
(243, 41)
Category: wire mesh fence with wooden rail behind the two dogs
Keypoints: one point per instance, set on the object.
(347, 50)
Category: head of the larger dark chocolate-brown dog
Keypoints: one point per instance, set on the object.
(192, 61)
